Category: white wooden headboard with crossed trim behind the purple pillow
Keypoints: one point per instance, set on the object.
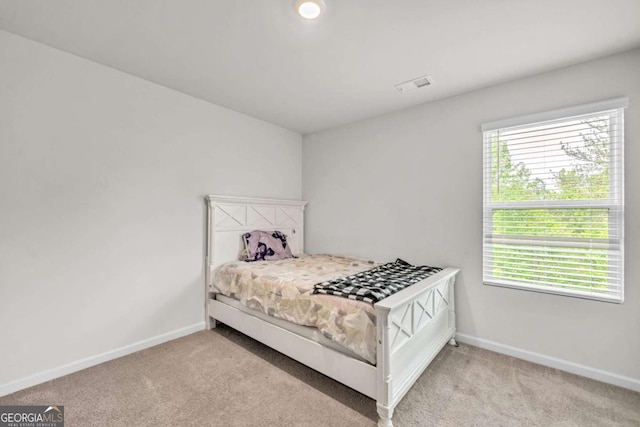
(228, 218)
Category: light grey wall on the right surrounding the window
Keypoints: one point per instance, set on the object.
(410, 185)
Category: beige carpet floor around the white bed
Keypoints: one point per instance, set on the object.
(223, 378)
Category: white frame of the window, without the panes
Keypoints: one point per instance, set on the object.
(615, 203)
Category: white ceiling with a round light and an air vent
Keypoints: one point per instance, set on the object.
(257, 57)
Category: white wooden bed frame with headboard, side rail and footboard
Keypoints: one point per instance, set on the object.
(413, 325)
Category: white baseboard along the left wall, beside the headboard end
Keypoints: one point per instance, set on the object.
(78, 365)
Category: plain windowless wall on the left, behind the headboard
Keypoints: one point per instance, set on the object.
(102, 178)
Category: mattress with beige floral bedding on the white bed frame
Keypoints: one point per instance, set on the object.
(284, 289)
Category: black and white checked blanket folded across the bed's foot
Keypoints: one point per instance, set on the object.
(377, 283)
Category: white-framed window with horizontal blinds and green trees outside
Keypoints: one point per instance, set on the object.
(553, 202)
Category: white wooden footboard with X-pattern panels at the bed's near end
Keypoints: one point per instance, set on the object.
(413, 326)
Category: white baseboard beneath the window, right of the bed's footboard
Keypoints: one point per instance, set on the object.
(552, 362)
